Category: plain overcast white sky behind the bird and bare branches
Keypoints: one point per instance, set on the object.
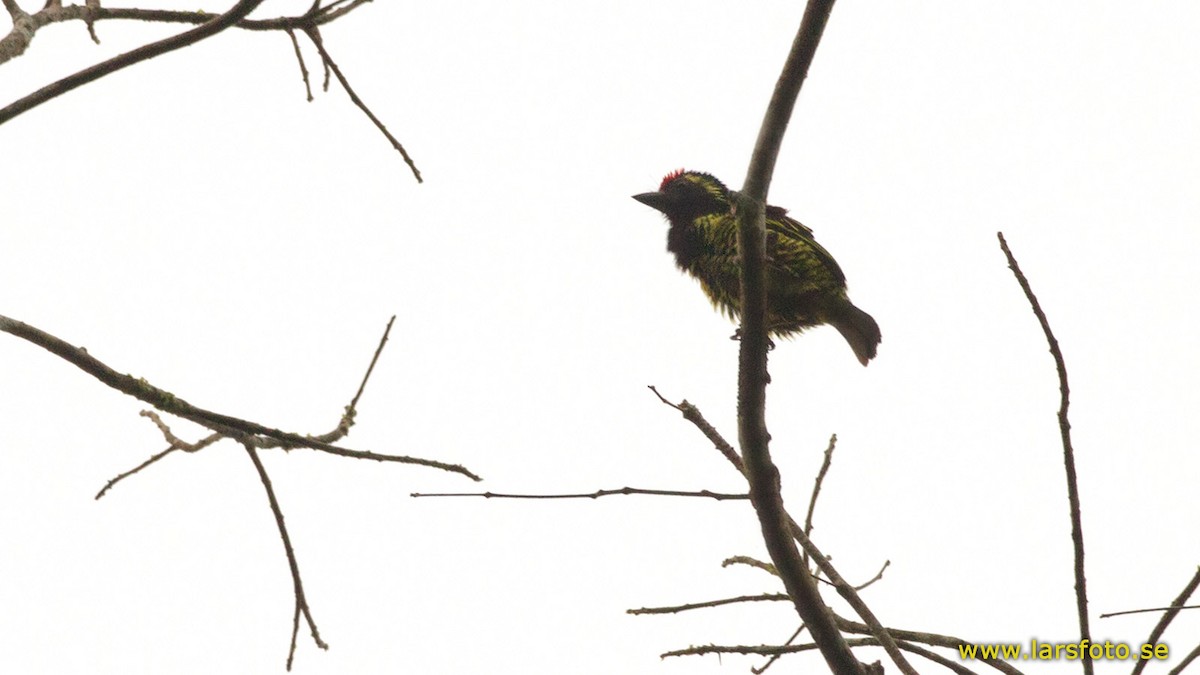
(194, 222)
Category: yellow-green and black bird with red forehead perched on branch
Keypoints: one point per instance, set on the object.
(806, 288)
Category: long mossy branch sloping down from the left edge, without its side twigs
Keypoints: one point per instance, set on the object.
(171, 404)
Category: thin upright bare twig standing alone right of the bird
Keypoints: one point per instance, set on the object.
(1069, 452)
